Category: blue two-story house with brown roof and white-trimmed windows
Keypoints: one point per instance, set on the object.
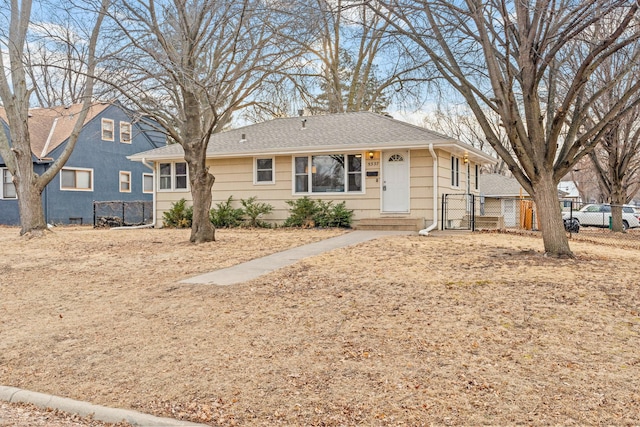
(98, 169)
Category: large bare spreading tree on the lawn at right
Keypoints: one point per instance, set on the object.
(512, 57)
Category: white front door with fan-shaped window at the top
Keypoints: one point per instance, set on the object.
(395, 181)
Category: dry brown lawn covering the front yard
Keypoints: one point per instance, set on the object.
(471, 329)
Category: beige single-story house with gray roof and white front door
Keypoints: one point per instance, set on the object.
(390, 173)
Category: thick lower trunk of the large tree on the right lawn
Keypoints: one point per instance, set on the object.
(549, 212)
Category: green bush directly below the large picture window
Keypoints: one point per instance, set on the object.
(318, 213)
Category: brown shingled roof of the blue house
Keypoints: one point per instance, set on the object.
(50, 127)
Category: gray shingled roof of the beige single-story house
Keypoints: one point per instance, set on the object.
(323, 133)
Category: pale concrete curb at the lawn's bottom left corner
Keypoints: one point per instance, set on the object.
(100, 413)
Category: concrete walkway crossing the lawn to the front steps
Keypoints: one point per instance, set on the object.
(252, 269)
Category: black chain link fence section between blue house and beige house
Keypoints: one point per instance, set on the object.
(122, 213)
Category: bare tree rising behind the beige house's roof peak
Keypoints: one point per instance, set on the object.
(350, 61)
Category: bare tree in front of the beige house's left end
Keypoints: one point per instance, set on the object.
(190, 65)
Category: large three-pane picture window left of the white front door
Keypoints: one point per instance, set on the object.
(328, 174)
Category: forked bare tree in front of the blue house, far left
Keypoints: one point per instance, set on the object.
(15, 93)
